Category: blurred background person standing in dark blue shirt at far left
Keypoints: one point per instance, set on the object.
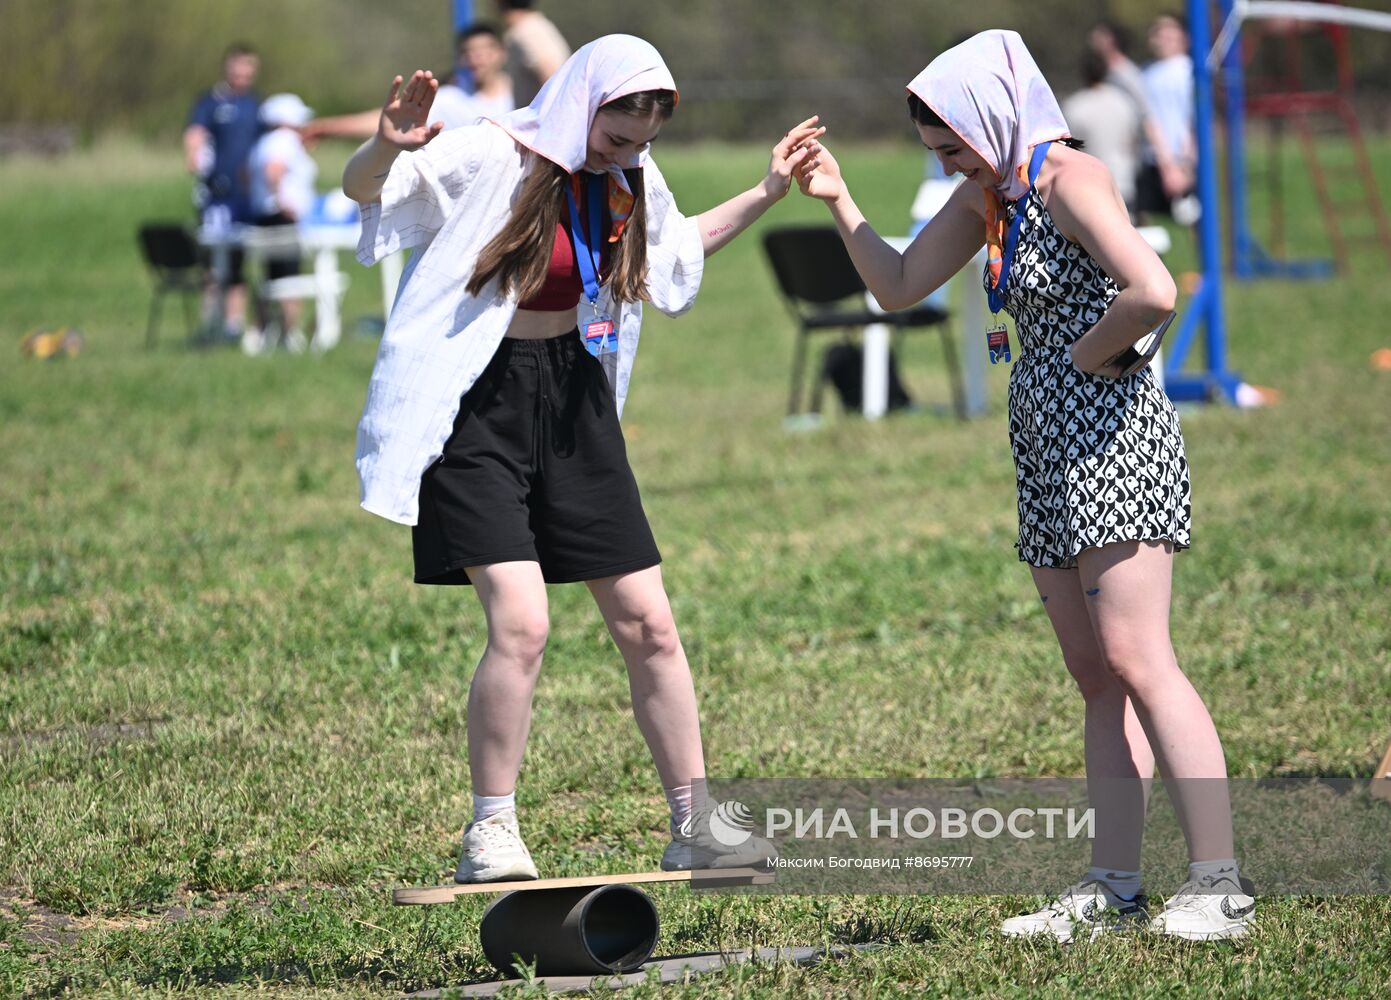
(222, 130)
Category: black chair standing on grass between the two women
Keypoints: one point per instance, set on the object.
(817, 276)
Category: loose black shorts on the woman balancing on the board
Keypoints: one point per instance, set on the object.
(535, 471)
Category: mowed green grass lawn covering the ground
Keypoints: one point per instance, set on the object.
(230, 725)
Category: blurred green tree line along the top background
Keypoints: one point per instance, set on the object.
(746, 69)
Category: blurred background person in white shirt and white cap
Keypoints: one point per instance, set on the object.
(283, 177)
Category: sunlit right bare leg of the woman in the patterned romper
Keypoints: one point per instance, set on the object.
(1127, 590)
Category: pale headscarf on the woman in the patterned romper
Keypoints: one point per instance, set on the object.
(990, 91)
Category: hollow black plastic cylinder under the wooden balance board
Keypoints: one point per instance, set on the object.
(586, 931)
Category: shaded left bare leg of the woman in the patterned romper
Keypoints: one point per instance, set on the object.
(1120, 764)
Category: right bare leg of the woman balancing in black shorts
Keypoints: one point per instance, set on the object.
(639, 617)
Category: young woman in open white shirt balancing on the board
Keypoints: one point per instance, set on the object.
(492, 418)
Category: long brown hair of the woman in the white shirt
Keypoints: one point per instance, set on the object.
(521, 254)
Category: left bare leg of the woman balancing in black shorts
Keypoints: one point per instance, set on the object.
(500, 695)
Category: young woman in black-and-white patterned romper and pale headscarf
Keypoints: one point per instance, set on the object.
(1100, 460)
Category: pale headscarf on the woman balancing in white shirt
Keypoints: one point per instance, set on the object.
(557, 124)
